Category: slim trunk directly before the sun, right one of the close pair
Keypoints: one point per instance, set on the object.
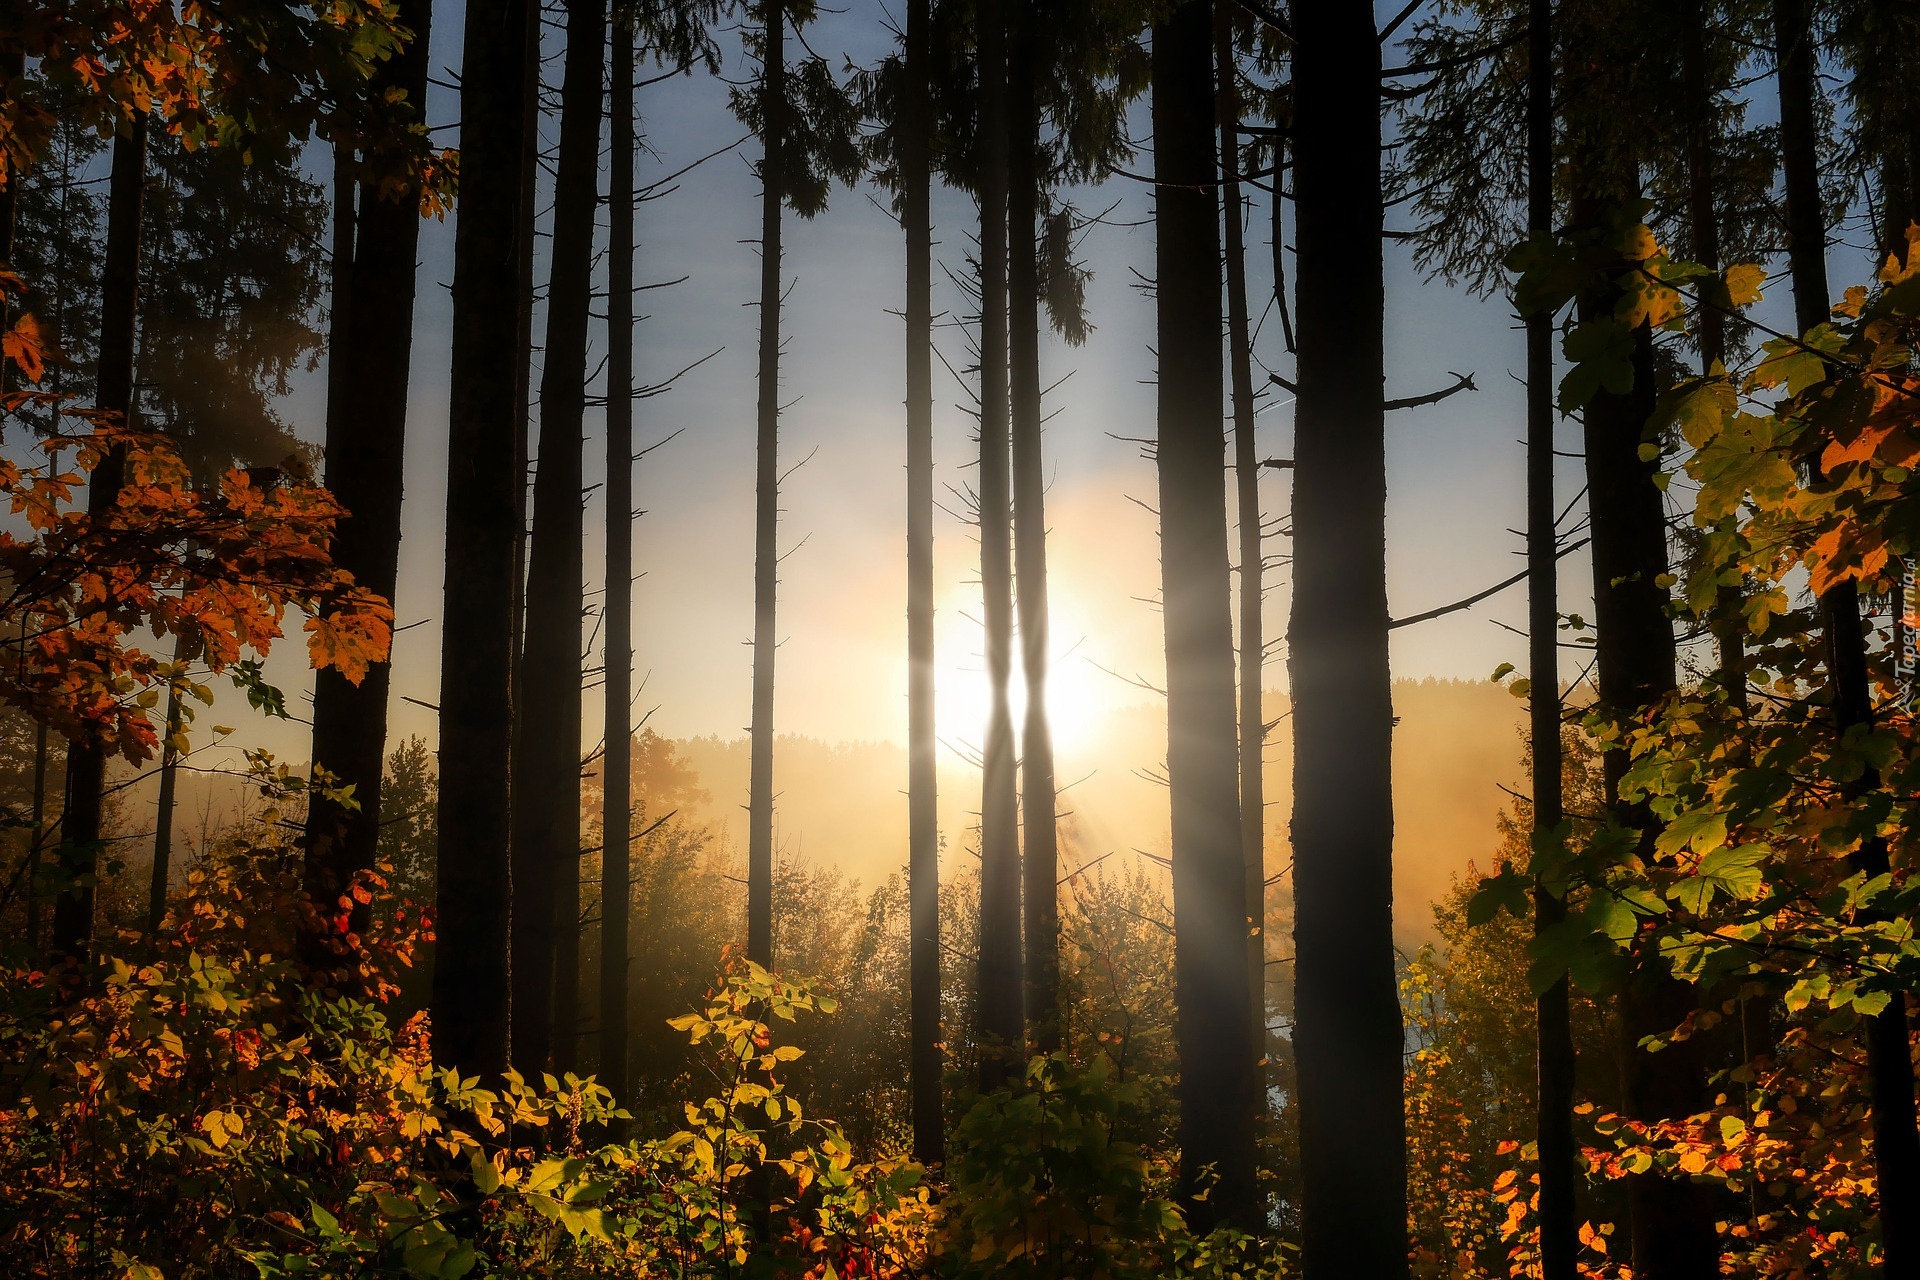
(1040, 863)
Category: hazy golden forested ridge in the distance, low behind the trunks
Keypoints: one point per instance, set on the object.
(844, 805)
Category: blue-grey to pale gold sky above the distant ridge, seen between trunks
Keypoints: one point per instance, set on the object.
(1454, 467)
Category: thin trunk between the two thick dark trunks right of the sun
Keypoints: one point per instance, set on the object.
(1253, 548)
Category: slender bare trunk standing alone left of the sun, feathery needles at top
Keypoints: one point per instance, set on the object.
(767, 498)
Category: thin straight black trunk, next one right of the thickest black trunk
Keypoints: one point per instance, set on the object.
(1554, 1056)
